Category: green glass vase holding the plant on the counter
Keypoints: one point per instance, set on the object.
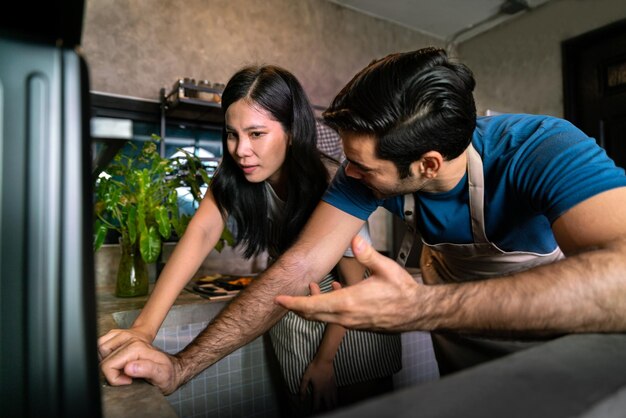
(132, 275)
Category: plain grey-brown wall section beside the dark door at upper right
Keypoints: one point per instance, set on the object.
(518, 66)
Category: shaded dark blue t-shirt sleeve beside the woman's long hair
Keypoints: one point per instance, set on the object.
(350, 196)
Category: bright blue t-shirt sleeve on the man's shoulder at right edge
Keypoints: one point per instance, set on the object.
(562, 167)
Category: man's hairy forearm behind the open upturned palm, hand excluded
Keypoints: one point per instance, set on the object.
(583, 293)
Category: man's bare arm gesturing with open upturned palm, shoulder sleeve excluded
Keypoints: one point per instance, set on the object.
(586, 292)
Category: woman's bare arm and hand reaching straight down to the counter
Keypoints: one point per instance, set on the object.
(200, 238)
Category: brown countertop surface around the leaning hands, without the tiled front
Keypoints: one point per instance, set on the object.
(140, 399)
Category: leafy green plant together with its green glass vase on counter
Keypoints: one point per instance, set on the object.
(138, 198)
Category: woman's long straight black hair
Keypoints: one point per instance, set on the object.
(279, 93)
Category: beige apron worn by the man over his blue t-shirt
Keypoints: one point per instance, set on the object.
(446, 262)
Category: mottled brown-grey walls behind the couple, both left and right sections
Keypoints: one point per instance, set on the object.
(134, 47)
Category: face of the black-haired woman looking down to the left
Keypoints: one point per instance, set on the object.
(257, 143)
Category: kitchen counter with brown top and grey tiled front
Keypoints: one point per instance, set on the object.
(251, 365)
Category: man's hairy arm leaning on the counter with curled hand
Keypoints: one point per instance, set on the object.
(319, 247)
